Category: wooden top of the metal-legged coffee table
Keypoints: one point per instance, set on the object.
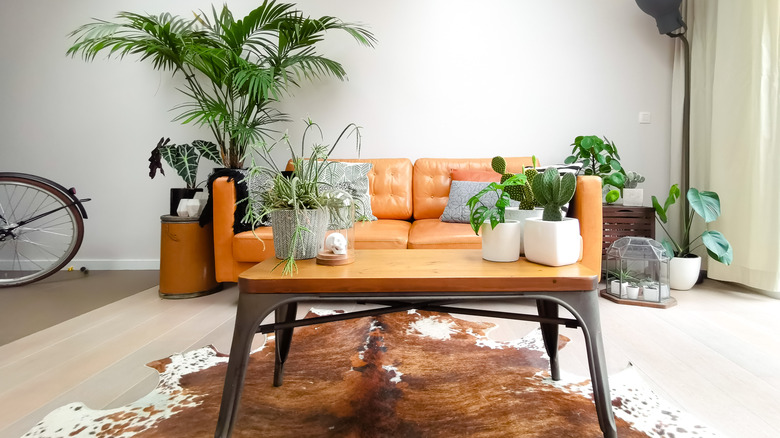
(417, 270)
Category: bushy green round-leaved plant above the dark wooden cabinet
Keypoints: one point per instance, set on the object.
(599, 157)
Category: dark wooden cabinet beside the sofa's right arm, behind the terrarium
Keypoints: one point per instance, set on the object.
(620, 221)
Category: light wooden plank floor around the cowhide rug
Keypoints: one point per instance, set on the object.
(715, 355)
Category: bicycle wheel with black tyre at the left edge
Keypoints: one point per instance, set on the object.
(34, 249)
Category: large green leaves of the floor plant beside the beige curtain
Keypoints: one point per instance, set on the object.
(707, 206)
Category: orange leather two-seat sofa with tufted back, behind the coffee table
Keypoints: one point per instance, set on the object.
(408, 200)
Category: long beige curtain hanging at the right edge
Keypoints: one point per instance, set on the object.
(735, 142)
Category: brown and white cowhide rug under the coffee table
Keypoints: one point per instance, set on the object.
(414, 374)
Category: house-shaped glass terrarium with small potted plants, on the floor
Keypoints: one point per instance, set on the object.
(637, 272)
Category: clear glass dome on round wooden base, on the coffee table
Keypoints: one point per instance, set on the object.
(338, 248)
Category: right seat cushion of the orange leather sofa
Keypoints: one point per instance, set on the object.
(435, 234)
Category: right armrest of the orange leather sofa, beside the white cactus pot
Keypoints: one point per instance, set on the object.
(587, 208)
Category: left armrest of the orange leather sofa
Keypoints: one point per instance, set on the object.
(223, 194)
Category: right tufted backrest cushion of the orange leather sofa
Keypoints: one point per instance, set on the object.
(432, 178)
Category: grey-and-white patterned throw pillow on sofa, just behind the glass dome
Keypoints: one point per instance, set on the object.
(353, 179)
